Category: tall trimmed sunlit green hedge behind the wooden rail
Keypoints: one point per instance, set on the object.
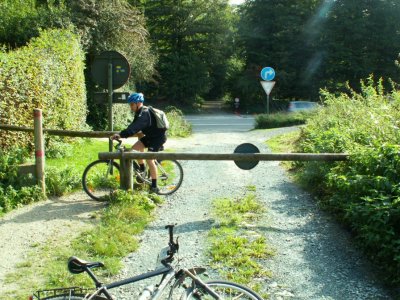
(46, 74)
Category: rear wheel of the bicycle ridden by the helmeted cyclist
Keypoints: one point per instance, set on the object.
(170, 176)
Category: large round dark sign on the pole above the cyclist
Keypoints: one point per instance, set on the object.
(120, 69)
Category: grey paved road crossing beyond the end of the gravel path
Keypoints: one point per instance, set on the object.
(221, 123)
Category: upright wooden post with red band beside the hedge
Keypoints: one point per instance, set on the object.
(39, 149)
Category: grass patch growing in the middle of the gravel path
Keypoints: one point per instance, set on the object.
(237, 248)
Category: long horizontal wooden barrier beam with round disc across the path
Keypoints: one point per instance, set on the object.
(227, 156)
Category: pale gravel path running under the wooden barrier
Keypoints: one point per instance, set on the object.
(314, 256)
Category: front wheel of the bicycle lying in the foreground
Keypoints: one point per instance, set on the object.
(225, 289)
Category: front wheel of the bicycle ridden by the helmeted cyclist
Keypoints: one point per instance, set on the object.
(100, 179)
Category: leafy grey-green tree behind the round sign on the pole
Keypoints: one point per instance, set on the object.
(112, 25)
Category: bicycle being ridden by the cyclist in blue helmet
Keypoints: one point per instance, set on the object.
(102, 177)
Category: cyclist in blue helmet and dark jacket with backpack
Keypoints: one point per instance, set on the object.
(150, 136)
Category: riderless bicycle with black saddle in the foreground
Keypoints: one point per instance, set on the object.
(182, 283)
